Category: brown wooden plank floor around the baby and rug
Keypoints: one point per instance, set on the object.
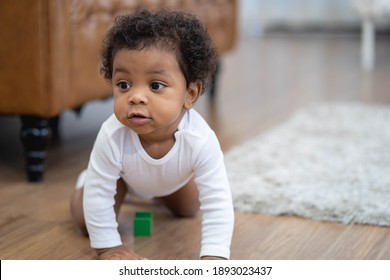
(262, 82)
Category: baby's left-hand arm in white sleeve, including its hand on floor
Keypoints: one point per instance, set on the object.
(100, 191)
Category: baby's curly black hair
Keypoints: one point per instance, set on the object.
(169, 30)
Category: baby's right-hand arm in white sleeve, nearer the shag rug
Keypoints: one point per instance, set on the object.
(216, 202)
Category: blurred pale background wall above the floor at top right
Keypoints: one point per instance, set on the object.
(258, 16)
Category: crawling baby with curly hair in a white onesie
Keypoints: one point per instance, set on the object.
(156, 145)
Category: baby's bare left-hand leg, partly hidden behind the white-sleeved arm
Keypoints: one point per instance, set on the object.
(76, 205)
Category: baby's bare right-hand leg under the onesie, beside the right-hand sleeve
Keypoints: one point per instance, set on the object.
(185, 201)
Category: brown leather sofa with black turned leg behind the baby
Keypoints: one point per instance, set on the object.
(49, 57)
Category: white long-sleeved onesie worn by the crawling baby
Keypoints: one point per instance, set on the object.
(118, 153)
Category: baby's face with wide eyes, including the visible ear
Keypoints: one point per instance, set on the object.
(150, 92)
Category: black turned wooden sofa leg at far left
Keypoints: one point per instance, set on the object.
(34, 135)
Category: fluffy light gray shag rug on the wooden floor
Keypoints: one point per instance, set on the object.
(329, 162)
